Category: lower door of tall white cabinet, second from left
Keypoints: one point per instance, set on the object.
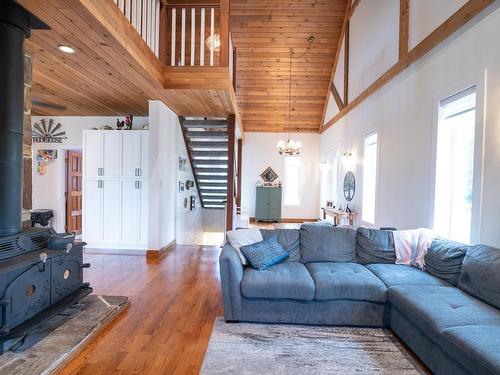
(111, 208)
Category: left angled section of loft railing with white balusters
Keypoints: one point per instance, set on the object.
(144, 15)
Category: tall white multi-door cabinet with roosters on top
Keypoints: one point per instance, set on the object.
(115, 189)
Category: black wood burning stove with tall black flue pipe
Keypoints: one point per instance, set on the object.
(35, 282)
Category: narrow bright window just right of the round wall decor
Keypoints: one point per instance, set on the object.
(370, 177)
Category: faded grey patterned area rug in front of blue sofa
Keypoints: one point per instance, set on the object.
(246, 348)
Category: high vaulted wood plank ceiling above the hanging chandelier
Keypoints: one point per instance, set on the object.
(263, 32)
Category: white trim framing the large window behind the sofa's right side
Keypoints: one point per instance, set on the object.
(480, 81)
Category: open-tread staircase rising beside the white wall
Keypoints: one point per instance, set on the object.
(207, 145)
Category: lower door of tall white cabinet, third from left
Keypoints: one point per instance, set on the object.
(130, 211)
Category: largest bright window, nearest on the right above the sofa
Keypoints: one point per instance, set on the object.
(455, 166)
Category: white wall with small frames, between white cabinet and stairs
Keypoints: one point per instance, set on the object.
(168, 219)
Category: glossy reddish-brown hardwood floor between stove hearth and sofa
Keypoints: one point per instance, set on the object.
(174, 302)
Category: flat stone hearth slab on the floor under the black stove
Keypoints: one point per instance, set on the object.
(63, 336)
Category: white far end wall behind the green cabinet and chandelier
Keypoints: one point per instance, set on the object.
(259, 152)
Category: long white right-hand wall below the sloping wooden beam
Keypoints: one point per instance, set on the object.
(405, 113)
